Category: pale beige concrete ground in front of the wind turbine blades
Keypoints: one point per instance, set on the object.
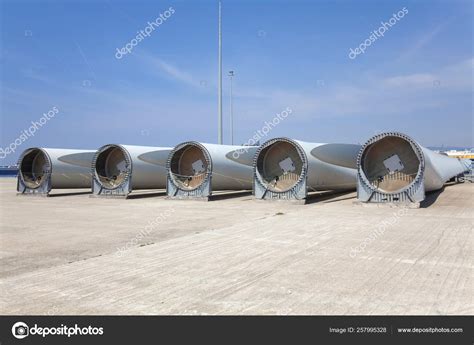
(72, 254)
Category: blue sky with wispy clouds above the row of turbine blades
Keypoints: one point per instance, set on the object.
(417, 78)
